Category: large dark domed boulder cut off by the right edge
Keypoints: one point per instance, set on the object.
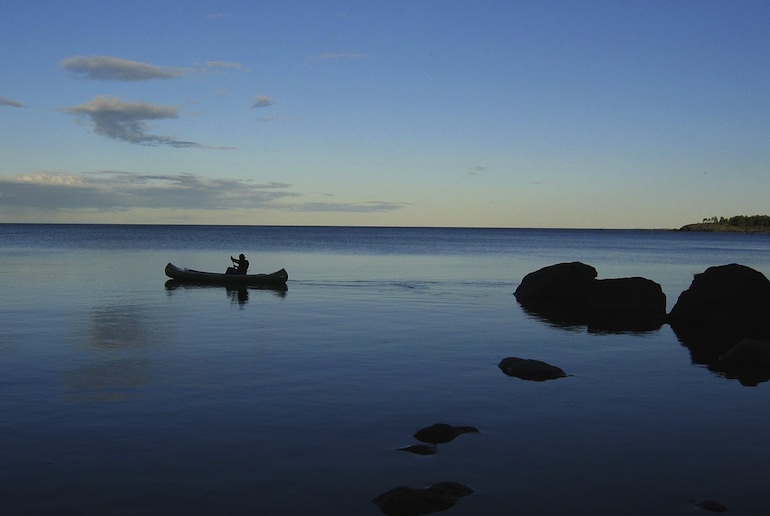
(727, 294)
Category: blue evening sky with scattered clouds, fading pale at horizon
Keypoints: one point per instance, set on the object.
(541, 113)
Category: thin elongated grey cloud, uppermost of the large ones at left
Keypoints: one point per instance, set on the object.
(115, 69)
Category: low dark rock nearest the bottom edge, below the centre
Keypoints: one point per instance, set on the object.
(408, 501)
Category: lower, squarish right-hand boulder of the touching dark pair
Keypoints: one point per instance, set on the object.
(626, 304)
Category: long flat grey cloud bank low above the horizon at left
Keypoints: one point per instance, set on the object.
(118, 191)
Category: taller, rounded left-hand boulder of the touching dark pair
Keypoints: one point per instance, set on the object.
(561, 281)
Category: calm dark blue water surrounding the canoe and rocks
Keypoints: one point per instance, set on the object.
(119, 395)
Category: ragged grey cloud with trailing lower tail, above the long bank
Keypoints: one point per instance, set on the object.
(126, 121)
